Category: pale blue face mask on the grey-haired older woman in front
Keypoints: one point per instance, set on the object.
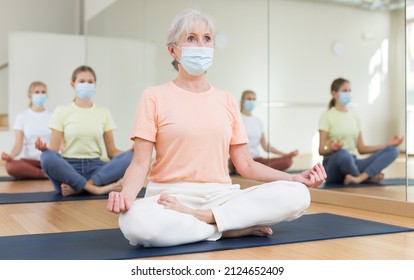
(196, 60)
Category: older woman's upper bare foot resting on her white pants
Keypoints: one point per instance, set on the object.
(171, 202)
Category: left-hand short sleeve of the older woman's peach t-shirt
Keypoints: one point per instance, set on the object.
(145, 123)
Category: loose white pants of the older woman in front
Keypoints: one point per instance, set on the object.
(150, 224)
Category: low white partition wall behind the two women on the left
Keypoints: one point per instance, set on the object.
(116, 61)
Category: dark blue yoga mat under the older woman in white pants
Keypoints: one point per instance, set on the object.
(110, 244)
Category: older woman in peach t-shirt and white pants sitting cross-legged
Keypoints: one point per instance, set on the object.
(193, 127)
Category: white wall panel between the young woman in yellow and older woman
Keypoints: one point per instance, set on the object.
(123, 70)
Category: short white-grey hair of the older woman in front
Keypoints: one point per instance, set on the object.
(183, 23)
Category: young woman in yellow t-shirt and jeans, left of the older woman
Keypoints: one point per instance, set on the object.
(82, 125)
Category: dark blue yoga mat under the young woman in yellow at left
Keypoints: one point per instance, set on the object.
(11, 198)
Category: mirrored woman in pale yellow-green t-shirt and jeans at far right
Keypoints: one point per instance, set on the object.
(340, 138)
